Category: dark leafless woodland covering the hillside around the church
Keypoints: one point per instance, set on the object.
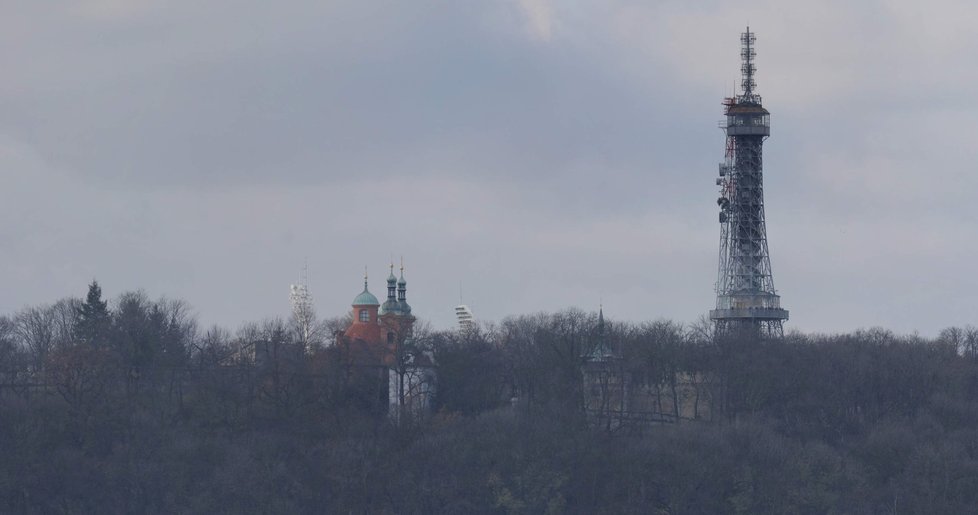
(129, 407)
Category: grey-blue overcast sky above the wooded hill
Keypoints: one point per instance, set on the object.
(543, 154)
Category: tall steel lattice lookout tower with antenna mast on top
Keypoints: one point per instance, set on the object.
(746, 299)
